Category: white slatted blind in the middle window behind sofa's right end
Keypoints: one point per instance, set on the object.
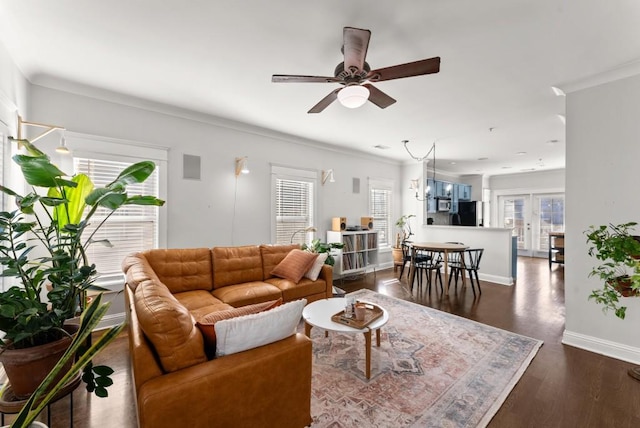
(294, 209)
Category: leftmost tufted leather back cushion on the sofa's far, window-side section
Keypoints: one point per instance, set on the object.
(182, 269)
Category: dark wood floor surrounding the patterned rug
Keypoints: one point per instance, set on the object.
(563, 386)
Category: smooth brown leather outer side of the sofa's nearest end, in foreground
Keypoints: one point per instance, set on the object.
(275, 379)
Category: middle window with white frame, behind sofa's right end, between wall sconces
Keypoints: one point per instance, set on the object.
(294, 204)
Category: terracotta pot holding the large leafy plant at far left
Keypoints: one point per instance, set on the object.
(26, 368)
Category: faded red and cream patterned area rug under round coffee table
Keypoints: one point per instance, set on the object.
(433, 369)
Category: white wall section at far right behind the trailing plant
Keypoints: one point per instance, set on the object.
(603, 149)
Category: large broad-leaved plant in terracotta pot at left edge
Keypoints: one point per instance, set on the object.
(45, 241)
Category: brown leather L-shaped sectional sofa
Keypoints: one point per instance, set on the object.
(175, 383)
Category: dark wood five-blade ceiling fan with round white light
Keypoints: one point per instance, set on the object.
(355, 74)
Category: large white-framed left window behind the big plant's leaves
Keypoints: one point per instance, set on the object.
(131, 228)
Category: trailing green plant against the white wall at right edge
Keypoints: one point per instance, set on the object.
(618, 249)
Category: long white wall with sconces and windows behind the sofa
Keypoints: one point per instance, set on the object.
(201, 213)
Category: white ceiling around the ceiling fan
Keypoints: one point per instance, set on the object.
(492, 98)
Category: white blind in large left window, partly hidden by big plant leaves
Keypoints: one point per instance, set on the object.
(129, 229)
